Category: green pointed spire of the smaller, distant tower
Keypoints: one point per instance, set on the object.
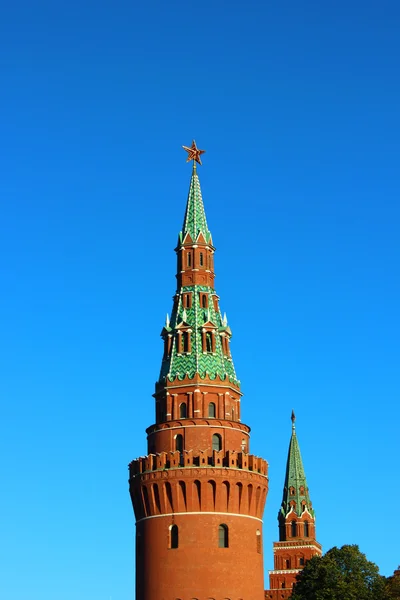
(295, 491)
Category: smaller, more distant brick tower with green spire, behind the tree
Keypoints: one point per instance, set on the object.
(296, 518)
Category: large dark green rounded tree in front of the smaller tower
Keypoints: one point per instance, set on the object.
(341, 574)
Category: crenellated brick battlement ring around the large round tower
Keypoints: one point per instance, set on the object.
(190, 458)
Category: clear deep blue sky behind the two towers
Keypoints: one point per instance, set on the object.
(297, 105)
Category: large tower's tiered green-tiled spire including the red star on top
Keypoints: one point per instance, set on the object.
(197, 337)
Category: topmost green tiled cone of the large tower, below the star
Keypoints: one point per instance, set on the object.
(195, 217)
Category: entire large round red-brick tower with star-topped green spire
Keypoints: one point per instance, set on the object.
(198, 495)
